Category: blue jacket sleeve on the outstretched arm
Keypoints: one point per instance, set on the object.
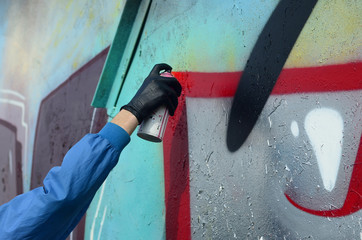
(52, 211)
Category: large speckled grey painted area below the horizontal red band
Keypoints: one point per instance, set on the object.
(241, 195)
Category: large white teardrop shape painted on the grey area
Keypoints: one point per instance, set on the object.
(324, 127)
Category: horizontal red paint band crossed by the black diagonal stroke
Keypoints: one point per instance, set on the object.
(332, 78)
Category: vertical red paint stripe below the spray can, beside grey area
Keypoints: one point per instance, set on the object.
(177, 180)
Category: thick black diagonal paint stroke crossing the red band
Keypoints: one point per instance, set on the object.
(265, 63)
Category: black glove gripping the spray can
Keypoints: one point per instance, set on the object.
(155, 92)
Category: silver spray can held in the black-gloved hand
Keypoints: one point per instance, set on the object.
(153, 127)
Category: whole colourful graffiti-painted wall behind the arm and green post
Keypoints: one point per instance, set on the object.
(265, 144)
